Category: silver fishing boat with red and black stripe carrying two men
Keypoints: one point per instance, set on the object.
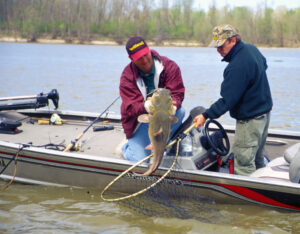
(35, 148)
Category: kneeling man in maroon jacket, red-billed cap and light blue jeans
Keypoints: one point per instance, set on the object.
(146, 72)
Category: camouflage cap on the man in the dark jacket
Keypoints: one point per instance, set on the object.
(221, 33)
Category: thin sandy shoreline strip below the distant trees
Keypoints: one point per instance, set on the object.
(178, 43)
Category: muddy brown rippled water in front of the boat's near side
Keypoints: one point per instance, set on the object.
(40, 209)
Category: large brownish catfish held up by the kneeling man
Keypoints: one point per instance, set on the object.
(160, 119)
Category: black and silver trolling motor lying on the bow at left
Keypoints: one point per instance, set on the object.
(29, 102)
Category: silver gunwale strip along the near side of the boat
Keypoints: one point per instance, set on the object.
(121, 165)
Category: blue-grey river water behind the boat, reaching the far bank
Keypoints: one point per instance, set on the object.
(87, 77)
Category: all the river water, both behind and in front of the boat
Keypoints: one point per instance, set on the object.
(87, 79)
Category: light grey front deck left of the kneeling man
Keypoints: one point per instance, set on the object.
(102, 143)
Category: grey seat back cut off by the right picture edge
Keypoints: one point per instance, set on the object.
(294, 171)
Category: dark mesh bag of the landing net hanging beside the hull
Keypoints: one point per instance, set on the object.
(169, 198)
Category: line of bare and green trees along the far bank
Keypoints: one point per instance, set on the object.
(158, 21)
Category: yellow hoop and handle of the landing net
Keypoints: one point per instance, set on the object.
(138, 163)
